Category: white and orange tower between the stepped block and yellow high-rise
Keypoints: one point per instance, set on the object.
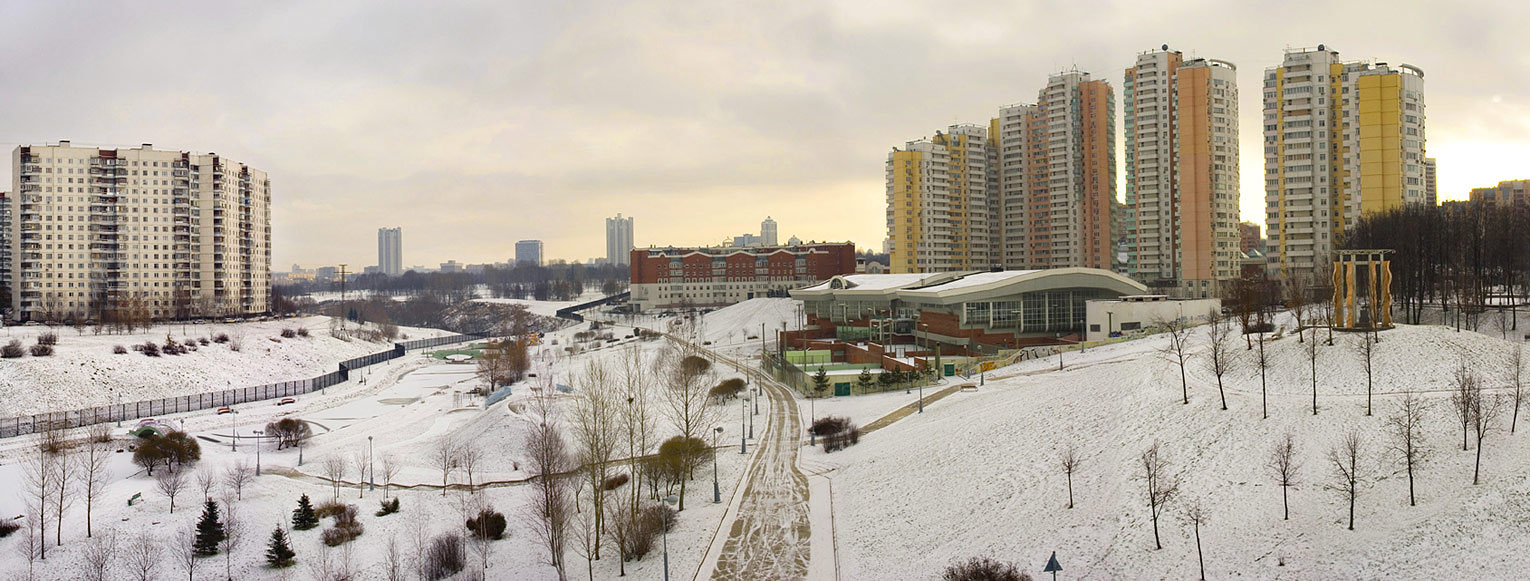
(1182, 174)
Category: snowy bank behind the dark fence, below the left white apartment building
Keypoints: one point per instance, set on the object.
(85, 372)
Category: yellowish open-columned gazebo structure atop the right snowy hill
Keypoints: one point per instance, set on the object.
(1362, 291)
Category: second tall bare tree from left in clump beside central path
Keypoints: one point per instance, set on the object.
(597, 435)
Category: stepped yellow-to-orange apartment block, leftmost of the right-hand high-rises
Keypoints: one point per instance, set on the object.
(1030, 190)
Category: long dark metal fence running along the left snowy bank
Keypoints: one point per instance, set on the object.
(21, 426)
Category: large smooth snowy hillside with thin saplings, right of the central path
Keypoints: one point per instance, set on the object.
(978, 473)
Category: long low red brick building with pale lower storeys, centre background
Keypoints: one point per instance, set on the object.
(712, 278)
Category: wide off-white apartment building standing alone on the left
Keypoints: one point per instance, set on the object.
(102, 232)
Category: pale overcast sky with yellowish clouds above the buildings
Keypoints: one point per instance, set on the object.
(478, 125)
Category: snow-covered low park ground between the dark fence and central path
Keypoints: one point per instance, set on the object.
(400, 409)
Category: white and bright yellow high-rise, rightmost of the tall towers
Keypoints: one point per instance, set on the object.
(1341, 141)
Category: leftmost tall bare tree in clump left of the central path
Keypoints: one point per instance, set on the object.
(550, 493)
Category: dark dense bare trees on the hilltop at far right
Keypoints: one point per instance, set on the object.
(1463, 256)
